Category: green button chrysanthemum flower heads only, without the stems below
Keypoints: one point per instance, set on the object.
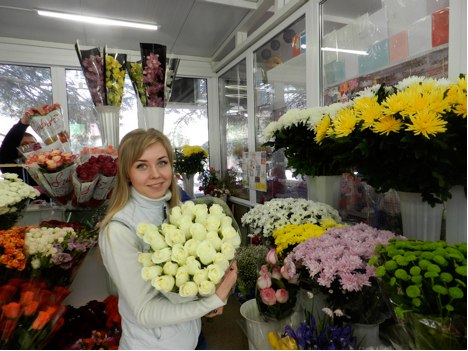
(425, 277)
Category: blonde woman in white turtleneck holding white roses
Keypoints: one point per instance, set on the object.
(144, 189)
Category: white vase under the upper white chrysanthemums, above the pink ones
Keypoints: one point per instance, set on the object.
(325, 189)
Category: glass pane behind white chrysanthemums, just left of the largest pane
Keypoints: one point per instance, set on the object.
(279, 85)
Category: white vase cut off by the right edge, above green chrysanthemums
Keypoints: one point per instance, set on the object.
(455, 216)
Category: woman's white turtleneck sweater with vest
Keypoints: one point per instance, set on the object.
(149, 320)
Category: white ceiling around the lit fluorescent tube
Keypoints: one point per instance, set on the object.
(202, 28)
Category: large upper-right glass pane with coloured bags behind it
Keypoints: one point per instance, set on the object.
(380, 41)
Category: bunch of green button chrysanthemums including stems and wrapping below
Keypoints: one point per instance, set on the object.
(425, 284)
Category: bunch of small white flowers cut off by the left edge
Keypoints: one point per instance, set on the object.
(14, 195)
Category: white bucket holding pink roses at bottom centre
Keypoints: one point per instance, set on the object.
(257, 329)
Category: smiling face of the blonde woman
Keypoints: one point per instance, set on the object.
(151, 174)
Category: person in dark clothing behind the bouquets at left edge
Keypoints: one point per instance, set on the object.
(16, 137)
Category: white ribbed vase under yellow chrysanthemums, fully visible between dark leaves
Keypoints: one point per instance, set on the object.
(419, 220)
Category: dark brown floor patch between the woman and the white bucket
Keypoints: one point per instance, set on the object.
(225, 332)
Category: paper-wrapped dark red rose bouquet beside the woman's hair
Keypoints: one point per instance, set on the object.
(94, 180)
